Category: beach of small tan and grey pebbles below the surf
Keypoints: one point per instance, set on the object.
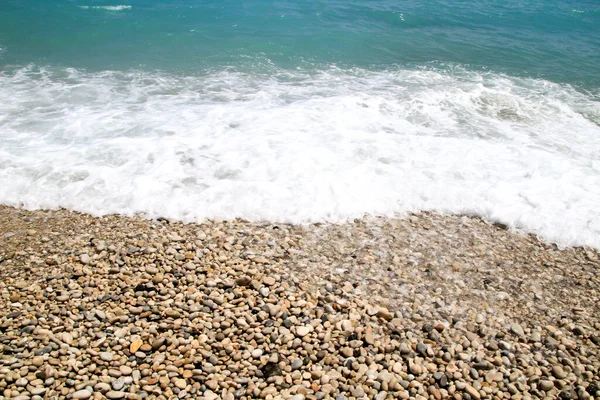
(425, 307)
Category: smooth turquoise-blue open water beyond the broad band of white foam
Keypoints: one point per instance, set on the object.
(554, 40)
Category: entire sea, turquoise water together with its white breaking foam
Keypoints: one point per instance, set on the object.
(305, 110)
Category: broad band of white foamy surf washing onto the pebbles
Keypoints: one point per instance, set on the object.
(300, 147)
